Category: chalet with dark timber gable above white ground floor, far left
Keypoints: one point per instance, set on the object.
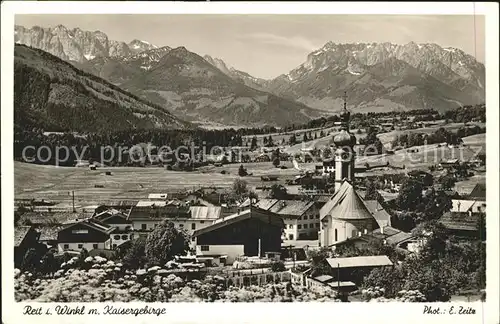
(88, 233)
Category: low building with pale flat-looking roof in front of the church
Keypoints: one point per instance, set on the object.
(354, 269)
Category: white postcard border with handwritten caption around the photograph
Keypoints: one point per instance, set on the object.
(258, 312)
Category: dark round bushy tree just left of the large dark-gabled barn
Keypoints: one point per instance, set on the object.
(165, 242)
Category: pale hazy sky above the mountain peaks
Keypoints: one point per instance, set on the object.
(267, 46)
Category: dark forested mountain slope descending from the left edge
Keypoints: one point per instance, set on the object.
(52, 94)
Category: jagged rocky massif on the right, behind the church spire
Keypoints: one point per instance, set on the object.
(384, 77)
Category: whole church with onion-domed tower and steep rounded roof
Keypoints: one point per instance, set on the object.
(347, 214)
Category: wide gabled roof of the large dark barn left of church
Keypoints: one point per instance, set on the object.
(238, 217)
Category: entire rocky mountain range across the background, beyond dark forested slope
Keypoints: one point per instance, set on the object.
(376, 77)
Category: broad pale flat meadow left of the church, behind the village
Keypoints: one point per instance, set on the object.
(56, 183)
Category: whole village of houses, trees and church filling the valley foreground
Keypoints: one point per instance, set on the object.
(337, 226)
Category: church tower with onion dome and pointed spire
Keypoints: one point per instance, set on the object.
(344, 152)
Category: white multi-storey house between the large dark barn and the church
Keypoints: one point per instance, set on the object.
(301, 217)
